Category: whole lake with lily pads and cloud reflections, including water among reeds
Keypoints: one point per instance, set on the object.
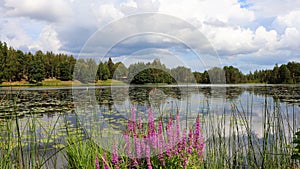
(103, 109)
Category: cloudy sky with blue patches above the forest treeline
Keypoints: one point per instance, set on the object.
(248, 34)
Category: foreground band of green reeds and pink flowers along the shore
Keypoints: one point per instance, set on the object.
(205, 143)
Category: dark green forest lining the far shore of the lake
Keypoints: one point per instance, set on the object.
(16, 65)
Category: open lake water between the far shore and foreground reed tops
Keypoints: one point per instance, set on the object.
(116, 102)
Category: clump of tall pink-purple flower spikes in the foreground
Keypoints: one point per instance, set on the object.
(153, 146)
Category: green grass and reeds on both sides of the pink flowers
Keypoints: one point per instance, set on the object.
(229, 138)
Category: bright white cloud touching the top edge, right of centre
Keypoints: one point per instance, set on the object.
(224, 10)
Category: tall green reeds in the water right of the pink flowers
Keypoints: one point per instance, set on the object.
(232, 142)
